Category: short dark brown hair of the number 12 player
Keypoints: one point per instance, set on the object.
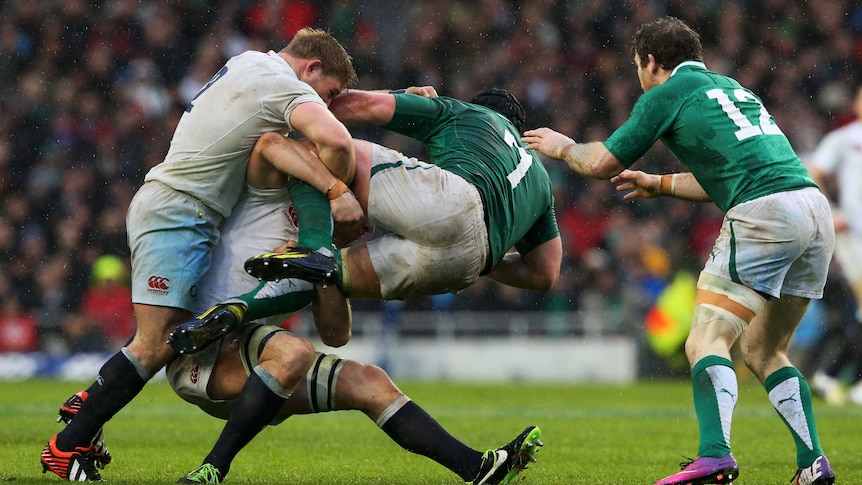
(669, 39)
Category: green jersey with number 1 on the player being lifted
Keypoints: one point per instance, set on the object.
(485, 149)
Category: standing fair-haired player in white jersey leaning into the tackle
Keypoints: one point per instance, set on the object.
(173, 219)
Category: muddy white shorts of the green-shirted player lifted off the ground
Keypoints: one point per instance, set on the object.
(436, 240)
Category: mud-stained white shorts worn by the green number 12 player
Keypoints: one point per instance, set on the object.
(777, 244)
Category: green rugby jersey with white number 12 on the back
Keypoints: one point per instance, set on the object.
(719, 130)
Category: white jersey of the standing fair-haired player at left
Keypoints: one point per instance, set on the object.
(253, 93)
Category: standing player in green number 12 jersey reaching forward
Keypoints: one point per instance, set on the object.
(771, 256)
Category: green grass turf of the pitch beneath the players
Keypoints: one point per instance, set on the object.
(593, 434)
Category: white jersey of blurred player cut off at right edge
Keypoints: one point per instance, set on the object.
(840, 153)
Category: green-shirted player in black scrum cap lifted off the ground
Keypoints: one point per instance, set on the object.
(452, 220)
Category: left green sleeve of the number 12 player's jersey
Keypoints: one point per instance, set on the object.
(651, 116)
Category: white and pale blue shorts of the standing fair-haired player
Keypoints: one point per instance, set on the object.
(171, 237)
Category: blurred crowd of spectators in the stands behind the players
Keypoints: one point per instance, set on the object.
(90, 92)
